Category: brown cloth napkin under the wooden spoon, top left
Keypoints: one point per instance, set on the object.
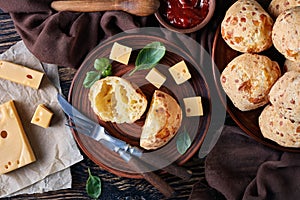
(64, 38)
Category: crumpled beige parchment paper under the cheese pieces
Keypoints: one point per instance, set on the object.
(54, 147)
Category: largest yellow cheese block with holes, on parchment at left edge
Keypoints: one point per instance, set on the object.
(15, 149)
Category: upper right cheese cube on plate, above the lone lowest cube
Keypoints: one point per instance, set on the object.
(180, 72)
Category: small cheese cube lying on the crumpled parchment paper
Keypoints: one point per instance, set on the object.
(42, 116)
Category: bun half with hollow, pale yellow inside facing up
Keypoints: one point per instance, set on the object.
(114, 99)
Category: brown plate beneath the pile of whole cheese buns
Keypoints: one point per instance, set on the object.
(248, 121)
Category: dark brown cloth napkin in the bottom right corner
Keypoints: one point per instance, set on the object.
(241, 168)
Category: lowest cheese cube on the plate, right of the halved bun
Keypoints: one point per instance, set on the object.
(193, 106)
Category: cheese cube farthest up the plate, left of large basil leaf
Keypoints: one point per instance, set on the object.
(120, 53)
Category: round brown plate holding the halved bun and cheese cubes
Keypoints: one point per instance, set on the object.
(196, 126)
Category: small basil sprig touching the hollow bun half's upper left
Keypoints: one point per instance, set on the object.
(103, 67)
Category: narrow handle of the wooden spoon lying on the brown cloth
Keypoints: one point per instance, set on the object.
(86, 5)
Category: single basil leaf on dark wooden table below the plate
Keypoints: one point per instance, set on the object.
(93, 186)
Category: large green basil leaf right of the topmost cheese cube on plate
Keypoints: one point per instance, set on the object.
(149, 56)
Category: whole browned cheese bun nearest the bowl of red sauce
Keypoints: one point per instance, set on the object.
(247, 27)
